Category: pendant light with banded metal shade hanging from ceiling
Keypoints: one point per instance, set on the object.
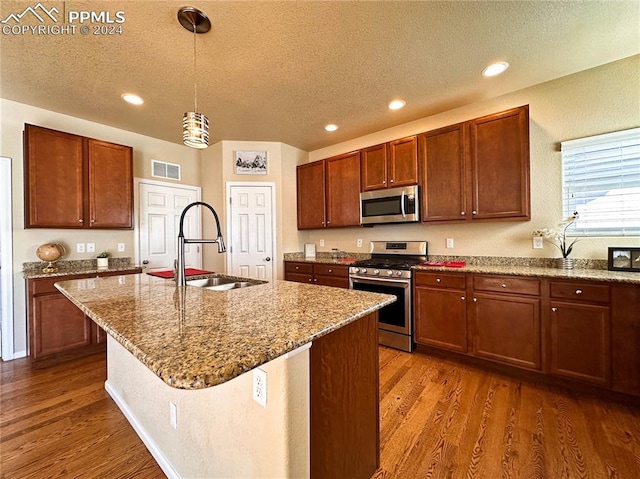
(195, 126)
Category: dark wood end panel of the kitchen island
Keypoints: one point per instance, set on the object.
(345, 434)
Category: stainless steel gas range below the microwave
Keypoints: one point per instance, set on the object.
(389, 271)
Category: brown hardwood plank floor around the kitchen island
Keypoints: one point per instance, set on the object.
(439, 419)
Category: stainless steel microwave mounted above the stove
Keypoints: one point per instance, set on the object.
(393, 205)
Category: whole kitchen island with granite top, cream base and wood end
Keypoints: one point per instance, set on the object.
(180, 361)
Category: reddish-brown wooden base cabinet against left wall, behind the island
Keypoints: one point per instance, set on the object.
(57, 327)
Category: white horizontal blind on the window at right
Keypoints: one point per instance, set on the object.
(601, 181)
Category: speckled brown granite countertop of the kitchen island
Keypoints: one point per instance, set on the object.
(193, 338)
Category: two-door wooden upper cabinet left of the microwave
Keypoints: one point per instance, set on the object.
(329, 192)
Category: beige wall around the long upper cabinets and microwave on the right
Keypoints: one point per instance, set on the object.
(592, 102)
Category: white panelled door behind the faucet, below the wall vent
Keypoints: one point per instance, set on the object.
(160, 207)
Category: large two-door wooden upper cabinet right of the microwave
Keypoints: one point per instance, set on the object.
(477, 170)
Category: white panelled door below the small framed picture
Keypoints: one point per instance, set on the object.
(251, 231)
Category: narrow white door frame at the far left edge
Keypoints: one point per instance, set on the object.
(6, 273)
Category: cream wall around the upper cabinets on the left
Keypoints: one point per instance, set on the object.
(13, 116)
